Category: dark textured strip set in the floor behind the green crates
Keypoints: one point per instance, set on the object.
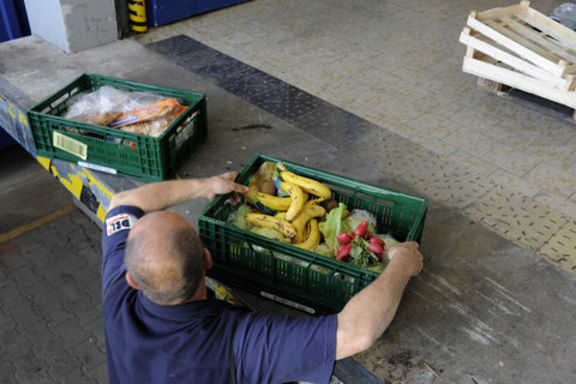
(275, 96)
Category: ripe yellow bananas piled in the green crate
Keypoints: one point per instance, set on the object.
(296, 215)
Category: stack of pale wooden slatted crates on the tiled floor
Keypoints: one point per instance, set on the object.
(521, 48)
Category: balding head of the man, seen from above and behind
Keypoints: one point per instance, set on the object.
(165, 256)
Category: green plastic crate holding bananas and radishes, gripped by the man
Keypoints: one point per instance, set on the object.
(315, 283)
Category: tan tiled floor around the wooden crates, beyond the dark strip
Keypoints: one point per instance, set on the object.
(398, 65)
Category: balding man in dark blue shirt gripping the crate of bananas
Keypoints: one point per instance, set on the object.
(161, 326)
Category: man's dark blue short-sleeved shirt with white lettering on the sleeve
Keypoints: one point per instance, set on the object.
(200, 342)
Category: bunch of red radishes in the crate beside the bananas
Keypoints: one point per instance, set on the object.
(360, 237)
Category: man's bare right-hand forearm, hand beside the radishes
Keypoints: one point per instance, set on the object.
(371, 310)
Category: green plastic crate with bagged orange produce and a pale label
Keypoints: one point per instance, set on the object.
(128, 154)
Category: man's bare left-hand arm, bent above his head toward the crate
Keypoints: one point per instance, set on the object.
(157, 196)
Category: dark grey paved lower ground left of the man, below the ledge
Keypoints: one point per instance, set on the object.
(51, 328)
